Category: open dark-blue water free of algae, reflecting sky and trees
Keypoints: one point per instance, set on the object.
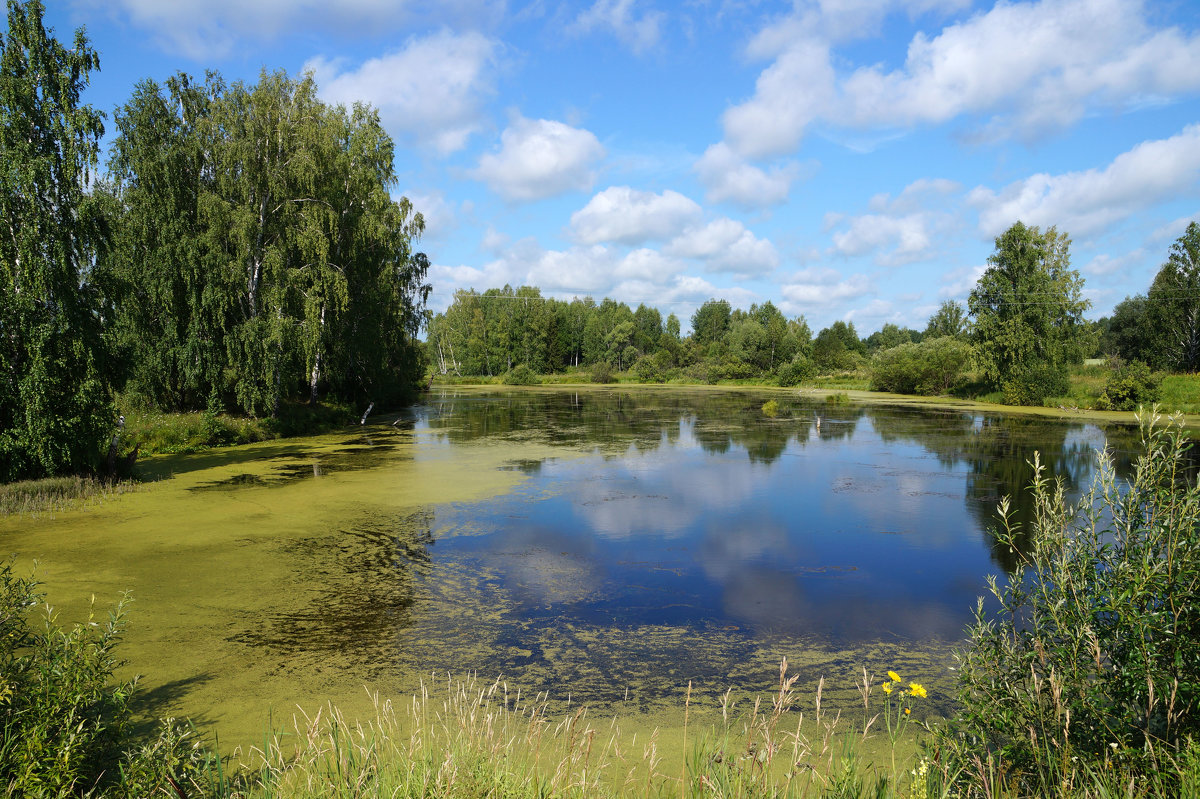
(700, 512)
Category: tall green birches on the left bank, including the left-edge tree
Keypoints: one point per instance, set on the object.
(242, 250)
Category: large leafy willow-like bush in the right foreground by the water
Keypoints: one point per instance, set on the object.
(1091, 664)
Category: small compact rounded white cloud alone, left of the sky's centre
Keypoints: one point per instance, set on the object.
(541, 159)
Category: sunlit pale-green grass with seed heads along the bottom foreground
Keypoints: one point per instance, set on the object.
(471, 738)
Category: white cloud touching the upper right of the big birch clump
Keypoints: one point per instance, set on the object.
(434, 89)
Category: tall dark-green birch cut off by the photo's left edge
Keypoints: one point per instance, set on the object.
(56, 411)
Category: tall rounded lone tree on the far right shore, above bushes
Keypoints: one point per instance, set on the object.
(1028, 310)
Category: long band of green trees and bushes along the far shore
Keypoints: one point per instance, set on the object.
(1022, 327)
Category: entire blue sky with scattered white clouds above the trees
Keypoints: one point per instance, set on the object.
(843, 159)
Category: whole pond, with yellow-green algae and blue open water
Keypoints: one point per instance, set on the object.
(607, 546)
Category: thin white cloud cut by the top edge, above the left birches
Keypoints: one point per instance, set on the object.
(211, 29)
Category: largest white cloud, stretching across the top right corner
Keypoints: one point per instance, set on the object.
(1019, 68)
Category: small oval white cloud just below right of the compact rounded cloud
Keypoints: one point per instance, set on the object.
(626, 215)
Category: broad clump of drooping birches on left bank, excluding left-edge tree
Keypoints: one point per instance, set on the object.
(257, 254)
